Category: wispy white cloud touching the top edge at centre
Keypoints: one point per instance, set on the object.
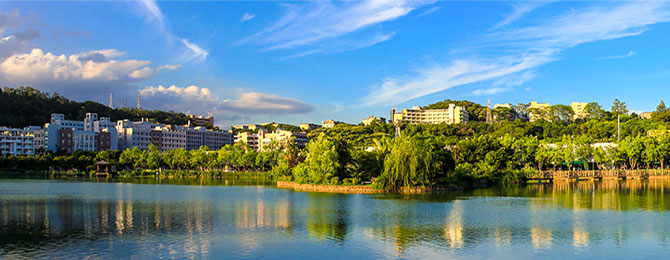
(316, 25)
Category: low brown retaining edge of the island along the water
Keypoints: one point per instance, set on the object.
(364, 189)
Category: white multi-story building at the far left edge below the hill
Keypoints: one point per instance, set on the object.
(15, 141)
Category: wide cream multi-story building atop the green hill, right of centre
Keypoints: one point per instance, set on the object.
(416, 115)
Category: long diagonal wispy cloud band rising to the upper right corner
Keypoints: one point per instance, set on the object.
(524, 49)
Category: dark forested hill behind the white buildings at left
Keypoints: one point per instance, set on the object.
(24, 106)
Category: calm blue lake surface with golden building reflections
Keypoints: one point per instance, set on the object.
(242, 219)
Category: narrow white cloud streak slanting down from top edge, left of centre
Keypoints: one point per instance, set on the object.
(190, 51)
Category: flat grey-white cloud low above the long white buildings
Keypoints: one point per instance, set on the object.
(201, 100)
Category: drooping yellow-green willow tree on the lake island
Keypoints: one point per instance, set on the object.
(414, 162)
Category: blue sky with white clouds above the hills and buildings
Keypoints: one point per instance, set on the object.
(303, 61)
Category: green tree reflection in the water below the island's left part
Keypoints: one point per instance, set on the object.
(328, 216)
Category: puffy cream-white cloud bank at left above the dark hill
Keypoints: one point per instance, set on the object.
(87, 75)
